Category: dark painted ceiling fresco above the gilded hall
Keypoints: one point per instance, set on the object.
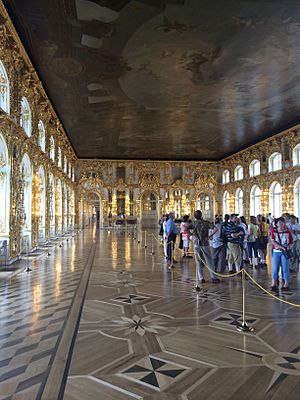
(165, 79)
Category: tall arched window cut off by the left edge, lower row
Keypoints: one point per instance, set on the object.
(4, 188)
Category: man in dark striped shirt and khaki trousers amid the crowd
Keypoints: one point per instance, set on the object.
(235, 238)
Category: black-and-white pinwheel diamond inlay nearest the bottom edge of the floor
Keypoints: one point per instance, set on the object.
(154, 372)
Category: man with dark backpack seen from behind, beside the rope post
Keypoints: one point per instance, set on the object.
(201, 228)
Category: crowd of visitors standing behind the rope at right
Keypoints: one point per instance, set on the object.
(232, 242)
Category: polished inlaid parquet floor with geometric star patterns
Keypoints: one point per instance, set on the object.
(103, 318)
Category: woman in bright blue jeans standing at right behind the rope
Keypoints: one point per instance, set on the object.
(281, 240)
